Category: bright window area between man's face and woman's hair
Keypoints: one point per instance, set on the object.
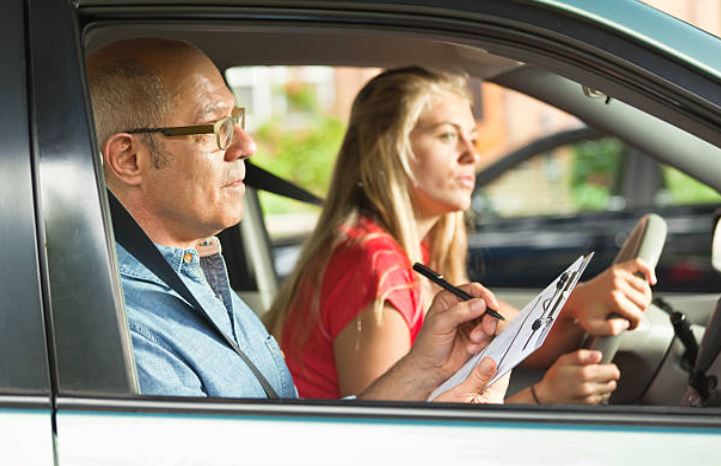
(297, 116)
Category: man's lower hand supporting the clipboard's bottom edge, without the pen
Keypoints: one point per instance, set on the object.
(475, 390)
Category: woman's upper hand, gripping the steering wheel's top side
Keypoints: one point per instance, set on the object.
(617, 290)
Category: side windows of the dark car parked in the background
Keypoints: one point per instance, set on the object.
(594, 175)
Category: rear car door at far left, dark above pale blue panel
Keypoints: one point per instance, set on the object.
(26, 429)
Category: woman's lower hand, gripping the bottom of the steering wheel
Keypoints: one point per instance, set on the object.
(578, 378)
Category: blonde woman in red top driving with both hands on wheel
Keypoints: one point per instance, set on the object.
(404, 175)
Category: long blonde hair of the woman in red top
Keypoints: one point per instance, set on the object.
(373, 177)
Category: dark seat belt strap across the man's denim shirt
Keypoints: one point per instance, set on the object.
(131, 237)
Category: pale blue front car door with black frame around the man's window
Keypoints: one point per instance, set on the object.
(99, 416)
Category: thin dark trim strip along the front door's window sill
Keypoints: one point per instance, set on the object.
(641, 417)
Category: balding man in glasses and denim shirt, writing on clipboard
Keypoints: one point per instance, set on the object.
(173, 154)
